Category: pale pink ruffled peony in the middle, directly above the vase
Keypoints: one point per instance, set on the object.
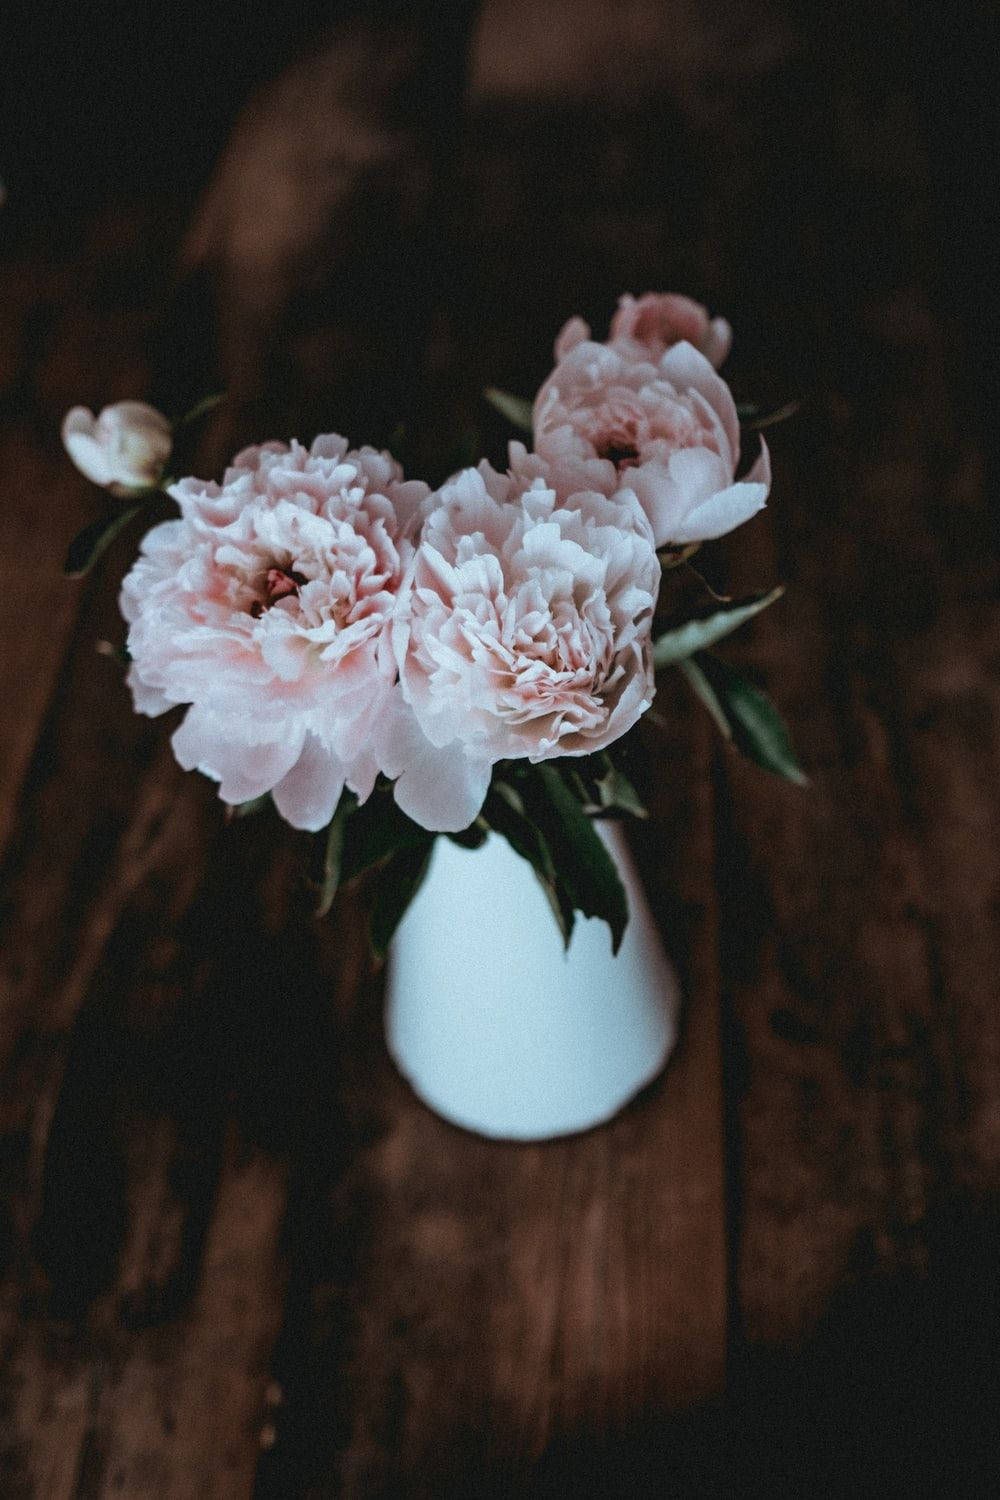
(524, 631)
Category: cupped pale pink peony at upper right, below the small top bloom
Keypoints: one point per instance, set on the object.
(666, 430)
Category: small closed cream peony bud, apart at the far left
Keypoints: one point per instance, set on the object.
(124, 449)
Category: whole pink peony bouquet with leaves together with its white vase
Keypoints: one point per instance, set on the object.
(391, 664)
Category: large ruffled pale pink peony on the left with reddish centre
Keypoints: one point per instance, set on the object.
(266, 610)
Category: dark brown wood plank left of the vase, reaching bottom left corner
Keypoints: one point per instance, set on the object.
(143, 1274)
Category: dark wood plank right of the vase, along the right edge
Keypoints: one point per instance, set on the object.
(860, 919)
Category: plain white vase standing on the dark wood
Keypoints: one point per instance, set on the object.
(500, 1028)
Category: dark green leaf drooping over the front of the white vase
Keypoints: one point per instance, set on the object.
(584, 866)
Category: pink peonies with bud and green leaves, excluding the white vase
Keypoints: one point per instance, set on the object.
(391, 664)
